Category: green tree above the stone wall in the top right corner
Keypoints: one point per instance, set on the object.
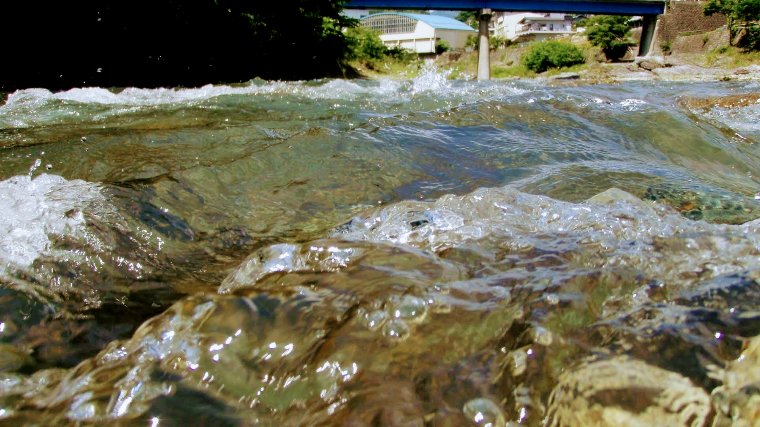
(743, 17)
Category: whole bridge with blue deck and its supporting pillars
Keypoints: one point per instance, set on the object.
(648, 9)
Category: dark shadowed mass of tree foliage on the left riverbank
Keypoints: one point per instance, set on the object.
(170, 42)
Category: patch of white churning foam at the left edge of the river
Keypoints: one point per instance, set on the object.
(32, 210)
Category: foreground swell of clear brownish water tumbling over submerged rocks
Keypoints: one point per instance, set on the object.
(469, 309)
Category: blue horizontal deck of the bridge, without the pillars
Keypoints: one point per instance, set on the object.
(608, 7)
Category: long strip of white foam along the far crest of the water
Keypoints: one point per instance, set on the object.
(32, 107)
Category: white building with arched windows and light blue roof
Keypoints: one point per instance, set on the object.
(418, 32)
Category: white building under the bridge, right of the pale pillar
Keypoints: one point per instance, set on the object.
(531, 26)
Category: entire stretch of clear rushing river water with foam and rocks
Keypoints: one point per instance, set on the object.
(382, 252)
